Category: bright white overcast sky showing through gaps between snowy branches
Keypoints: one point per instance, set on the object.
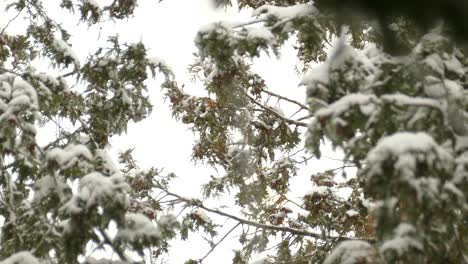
(168, 29)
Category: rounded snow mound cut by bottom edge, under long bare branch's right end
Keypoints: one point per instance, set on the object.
(351, 252)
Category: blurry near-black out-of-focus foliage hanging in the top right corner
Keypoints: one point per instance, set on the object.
(424, 14)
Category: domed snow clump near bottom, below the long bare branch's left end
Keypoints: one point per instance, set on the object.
(138, 227)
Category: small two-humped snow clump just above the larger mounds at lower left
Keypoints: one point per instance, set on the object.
(68, 156)
